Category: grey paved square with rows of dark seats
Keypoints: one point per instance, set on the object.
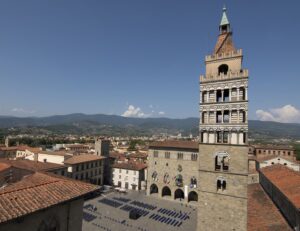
(110, 212)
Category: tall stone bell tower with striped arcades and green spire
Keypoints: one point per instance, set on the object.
(223, 147)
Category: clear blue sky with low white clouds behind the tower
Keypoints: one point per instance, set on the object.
(67, 56)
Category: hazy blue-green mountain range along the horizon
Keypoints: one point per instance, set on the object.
(101, 124)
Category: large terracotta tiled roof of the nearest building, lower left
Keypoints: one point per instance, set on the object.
(39, 191)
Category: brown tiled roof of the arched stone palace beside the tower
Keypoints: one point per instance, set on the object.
(175, 144)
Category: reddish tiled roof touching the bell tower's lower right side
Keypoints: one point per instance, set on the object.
(263, 215)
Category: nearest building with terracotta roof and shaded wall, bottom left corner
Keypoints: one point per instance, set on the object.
(27, 205)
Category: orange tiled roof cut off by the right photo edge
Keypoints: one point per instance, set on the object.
(286, 180)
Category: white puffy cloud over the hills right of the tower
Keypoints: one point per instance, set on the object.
(285, 114)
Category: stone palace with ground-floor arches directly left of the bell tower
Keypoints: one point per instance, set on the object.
(173, 170)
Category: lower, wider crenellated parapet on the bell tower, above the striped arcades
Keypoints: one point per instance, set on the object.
(230, 75)
